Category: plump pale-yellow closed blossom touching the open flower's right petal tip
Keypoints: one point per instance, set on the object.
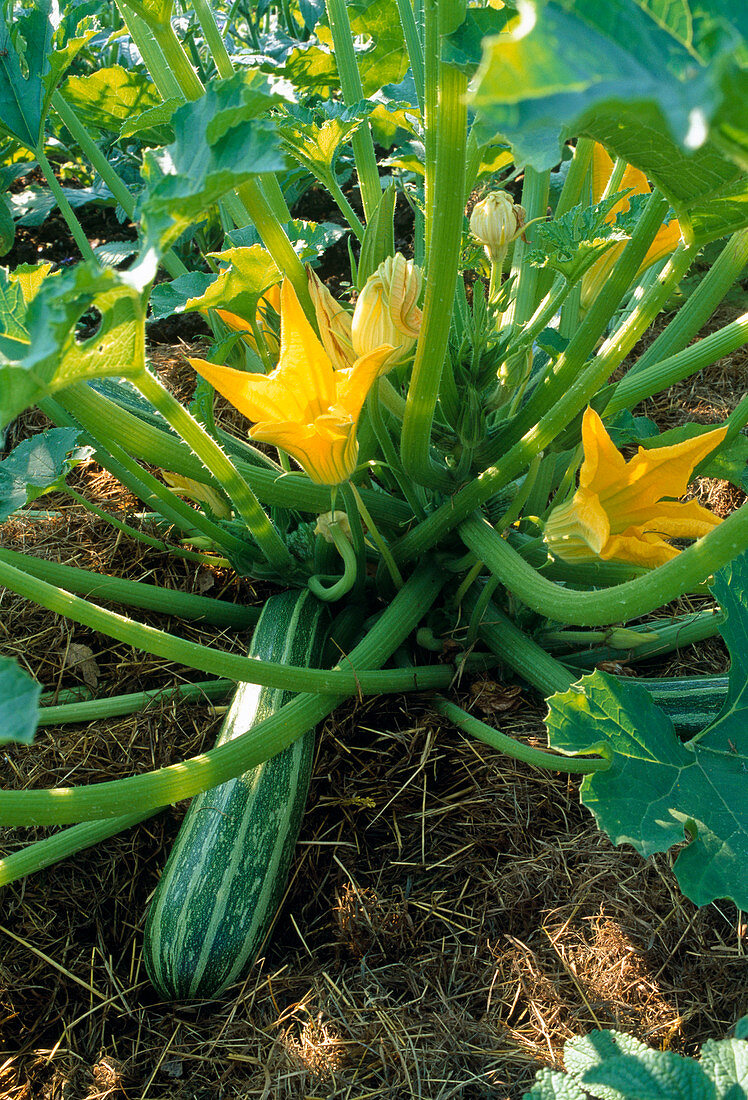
(387, 312)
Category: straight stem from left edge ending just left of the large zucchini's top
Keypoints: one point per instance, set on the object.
(134, 593)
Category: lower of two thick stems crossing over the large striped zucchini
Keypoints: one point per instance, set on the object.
(269, 738)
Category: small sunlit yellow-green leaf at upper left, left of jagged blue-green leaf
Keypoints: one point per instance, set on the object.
(111, 97)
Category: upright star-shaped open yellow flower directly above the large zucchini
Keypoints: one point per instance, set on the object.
(304, 406)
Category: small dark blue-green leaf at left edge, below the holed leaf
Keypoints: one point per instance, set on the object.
(39, 466)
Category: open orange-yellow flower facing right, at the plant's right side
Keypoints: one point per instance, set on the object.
(619, 512)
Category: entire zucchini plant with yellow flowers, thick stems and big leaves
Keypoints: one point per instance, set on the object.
(454, 459)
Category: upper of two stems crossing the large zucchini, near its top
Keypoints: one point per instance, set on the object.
(346, 681)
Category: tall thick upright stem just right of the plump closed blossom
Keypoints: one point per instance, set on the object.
(443, 273)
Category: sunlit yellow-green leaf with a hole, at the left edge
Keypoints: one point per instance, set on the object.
(54, 358)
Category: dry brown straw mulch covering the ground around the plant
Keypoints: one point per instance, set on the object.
(454, 917)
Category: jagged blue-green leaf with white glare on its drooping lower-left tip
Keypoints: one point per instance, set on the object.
(223, 139)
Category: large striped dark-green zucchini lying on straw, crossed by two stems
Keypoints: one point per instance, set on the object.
(229, 867)
